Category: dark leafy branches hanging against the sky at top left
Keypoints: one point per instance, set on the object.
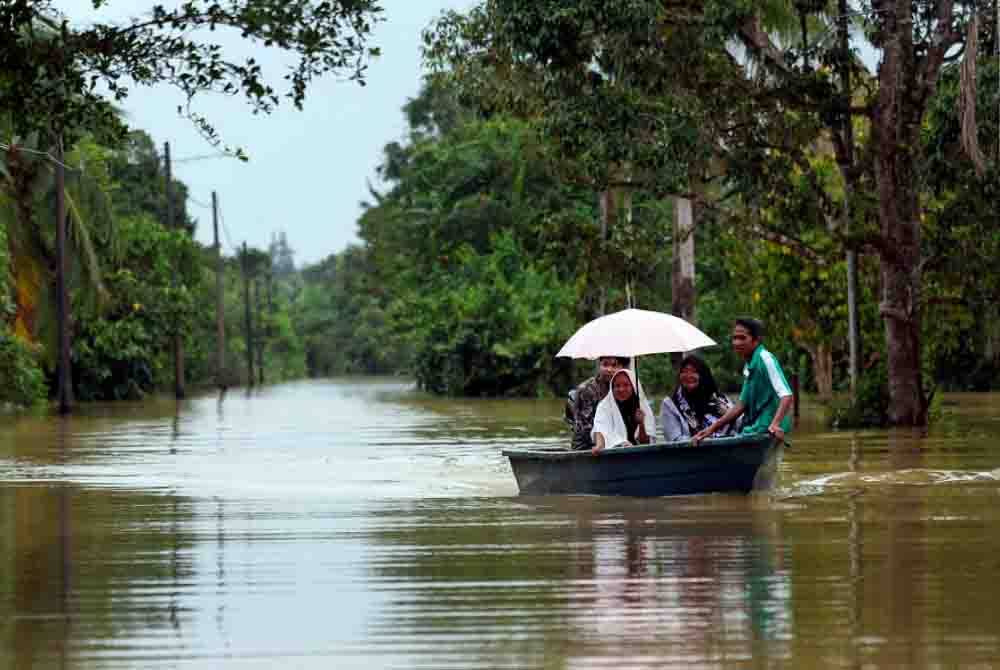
(62, 72)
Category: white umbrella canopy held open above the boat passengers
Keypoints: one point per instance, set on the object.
(634, 332)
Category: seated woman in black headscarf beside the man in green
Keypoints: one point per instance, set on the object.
(695, 405)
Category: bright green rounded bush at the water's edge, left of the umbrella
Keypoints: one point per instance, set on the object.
(488, 325)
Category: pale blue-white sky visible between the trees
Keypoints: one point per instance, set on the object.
(308, 169)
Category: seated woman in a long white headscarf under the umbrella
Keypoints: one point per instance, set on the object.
(624, 416)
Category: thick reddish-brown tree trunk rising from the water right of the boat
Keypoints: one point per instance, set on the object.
(897, 119)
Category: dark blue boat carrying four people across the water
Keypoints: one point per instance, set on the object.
(728, 464)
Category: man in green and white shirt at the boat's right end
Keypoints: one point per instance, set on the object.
(765, 398)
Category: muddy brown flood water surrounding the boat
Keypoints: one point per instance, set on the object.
(356, 524)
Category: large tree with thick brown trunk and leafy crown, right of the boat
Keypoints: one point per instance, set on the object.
(782, 101)
